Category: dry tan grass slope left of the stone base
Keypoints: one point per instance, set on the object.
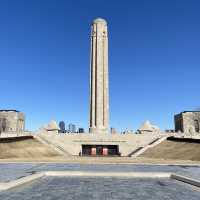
(25, 148)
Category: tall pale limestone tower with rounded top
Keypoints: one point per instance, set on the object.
(99, 97)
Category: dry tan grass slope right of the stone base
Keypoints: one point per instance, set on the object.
(174, 150)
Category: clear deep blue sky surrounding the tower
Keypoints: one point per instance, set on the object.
(154, 59)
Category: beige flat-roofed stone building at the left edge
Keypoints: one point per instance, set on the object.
(12, 121)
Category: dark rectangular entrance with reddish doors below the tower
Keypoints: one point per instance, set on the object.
(100, 150)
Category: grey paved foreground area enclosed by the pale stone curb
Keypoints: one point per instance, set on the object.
(102, 188)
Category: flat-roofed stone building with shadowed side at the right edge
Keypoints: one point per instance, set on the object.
(187, 121)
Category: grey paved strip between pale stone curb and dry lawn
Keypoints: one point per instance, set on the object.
(13, 171)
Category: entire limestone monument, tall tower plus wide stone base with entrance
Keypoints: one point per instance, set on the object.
(99, 141)
